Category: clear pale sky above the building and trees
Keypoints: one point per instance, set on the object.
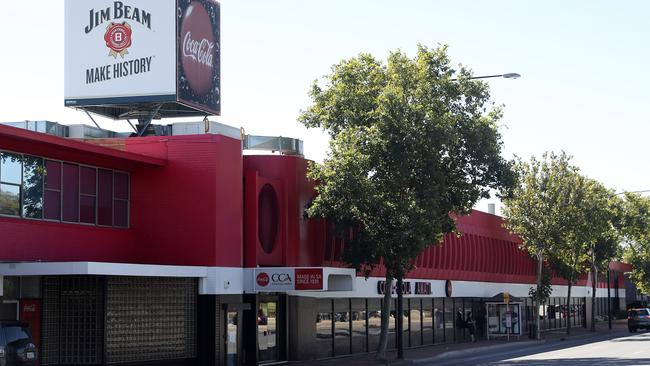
(584, 84)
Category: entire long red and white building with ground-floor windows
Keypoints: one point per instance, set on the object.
(180, 247)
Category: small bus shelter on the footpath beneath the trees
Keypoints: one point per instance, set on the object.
(503, 316)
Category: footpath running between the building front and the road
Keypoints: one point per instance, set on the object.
(427, 354)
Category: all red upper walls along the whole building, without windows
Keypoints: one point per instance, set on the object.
(195, 201)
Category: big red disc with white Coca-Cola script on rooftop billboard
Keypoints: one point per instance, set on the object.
(198, 48)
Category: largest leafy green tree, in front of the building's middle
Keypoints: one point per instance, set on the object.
(408, 146)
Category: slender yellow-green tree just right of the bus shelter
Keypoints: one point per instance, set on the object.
(540, 209)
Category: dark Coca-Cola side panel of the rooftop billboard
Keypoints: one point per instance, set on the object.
(198, 53)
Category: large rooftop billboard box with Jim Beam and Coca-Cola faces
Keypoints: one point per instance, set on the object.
(143, 51)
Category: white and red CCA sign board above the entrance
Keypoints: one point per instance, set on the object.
(288, 279)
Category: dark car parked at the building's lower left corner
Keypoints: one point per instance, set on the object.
(16, 344)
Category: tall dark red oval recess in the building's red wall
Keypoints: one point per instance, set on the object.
(267, 218)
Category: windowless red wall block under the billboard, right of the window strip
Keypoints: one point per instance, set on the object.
(190, 211)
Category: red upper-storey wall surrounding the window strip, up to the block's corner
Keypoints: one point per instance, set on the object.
(187, 211)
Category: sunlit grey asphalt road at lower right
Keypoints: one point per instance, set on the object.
(613, 349)
